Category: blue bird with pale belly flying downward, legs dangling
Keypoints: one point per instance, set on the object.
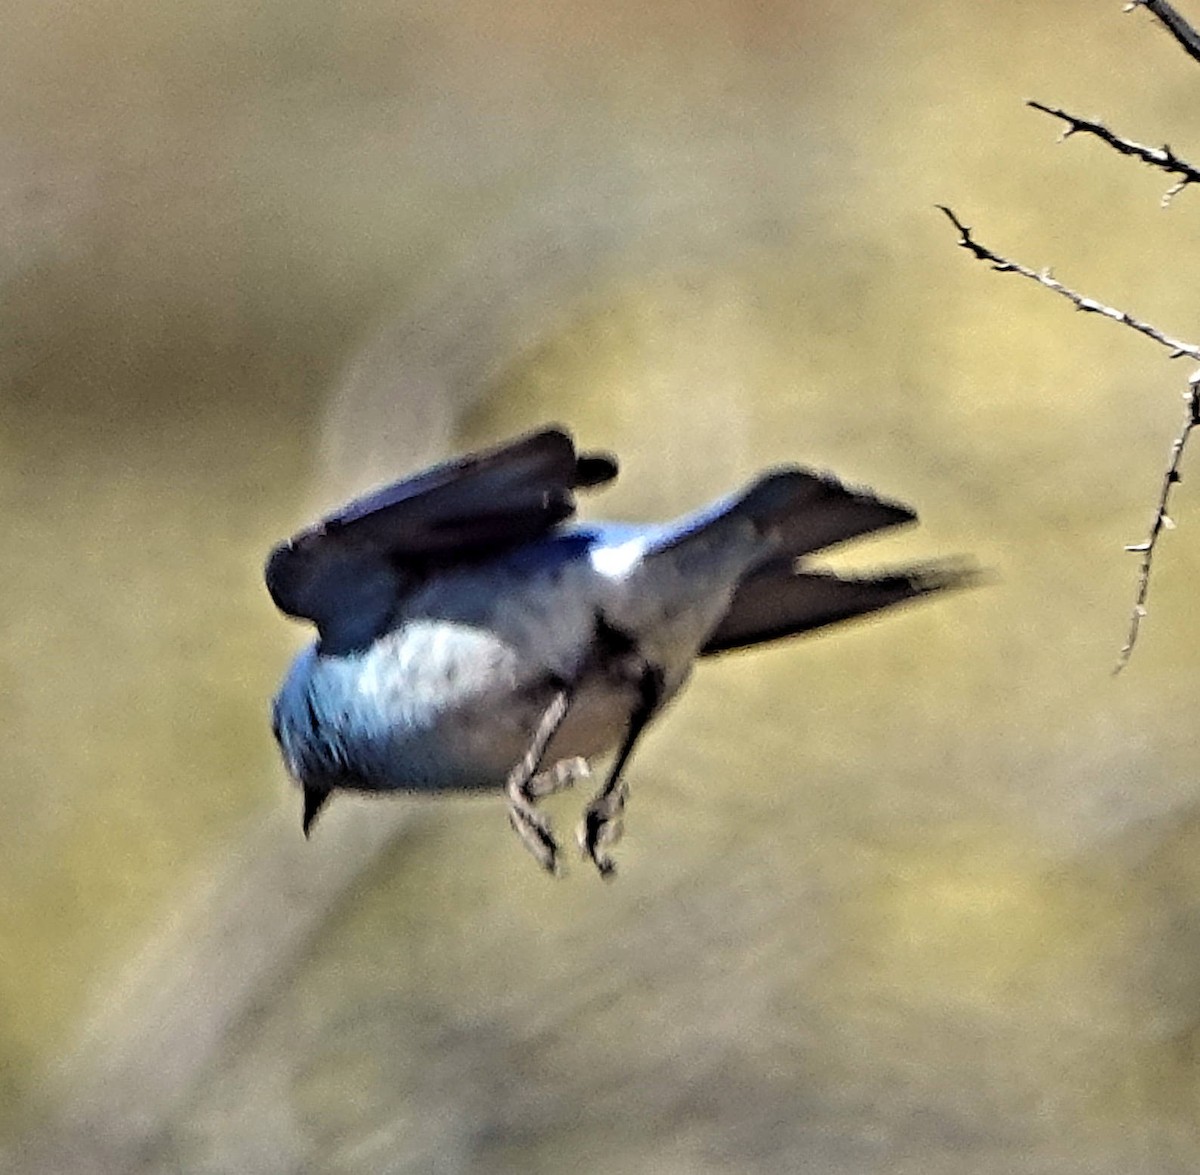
(473, 636)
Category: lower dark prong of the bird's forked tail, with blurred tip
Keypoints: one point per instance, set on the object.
(778, 601)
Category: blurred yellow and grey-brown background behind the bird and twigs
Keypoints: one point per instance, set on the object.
(922, 895)
